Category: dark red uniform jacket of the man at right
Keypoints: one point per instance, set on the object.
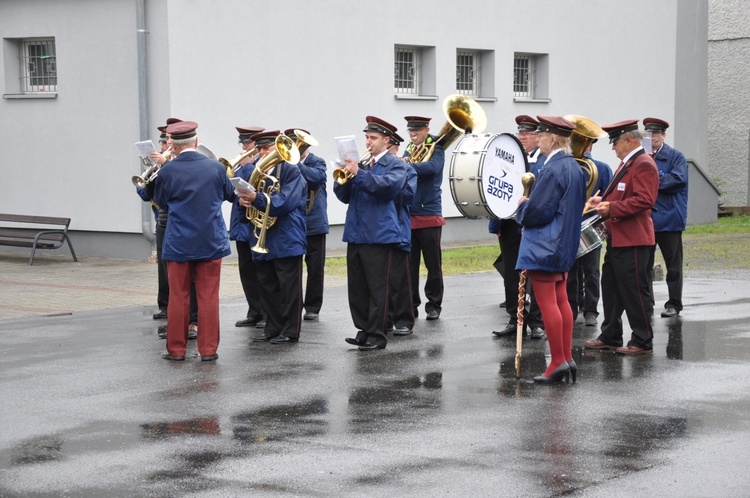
(631, 196)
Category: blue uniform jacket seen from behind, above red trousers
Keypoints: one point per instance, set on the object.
(192, 188)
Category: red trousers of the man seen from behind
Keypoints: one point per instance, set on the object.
(207, 279)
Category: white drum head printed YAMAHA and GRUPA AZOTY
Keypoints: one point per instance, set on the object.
(501, 173)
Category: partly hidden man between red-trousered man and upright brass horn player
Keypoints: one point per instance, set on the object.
(242, 234)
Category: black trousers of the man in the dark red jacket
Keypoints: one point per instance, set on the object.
(625, 287)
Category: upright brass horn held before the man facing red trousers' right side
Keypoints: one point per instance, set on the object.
(267, 185)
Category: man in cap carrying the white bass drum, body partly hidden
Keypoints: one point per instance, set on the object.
(509, 237)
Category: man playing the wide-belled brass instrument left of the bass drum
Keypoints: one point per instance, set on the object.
(426, 217)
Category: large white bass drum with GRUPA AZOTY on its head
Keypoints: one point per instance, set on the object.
(485, 175)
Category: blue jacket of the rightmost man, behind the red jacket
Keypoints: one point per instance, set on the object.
(671, 203)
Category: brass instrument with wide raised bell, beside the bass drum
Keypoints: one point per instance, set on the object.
(463, 115)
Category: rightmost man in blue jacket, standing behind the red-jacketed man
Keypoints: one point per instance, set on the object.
(670, 212)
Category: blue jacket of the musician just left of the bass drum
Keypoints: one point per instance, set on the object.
(428, 197)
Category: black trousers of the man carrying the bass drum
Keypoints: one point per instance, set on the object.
(510, 243)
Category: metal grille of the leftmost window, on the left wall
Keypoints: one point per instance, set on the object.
(38, 65)
